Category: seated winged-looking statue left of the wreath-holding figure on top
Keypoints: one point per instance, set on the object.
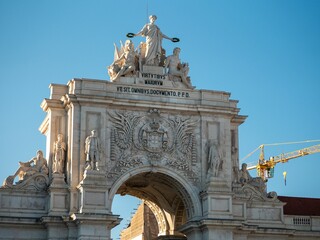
(125, 62)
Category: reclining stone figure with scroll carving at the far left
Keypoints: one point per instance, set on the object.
(32, 174)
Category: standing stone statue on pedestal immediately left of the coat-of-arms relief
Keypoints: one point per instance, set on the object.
(92, 150)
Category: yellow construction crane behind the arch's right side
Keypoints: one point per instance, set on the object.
(265, 168)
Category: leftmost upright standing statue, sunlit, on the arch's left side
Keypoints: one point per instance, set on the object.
(59, 149)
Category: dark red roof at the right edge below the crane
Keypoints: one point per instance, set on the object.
(301, 206)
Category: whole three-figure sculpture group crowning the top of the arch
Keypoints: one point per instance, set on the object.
(130, 62)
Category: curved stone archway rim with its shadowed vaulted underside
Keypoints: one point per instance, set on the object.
(171, 197)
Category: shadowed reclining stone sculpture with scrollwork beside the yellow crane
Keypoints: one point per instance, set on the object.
(252, 188)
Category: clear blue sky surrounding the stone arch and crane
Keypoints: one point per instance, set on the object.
(265, 53)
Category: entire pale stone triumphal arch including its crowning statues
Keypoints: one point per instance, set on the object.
(146, 132)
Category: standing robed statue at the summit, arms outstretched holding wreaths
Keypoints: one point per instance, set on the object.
(154, 38)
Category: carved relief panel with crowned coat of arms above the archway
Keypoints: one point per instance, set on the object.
(152, 139)
